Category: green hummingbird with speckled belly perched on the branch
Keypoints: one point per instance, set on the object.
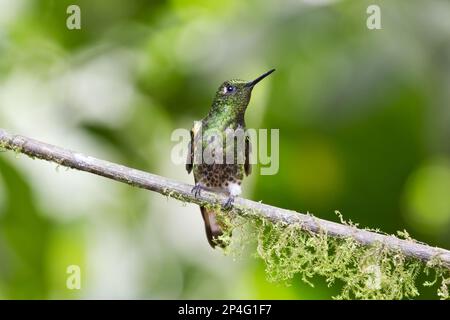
(226, 113)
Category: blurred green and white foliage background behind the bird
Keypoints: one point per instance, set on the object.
(364, 121)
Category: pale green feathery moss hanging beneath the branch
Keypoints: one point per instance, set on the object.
(362, 272)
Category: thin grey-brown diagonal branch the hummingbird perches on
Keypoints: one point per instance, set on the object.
(181, 191)
